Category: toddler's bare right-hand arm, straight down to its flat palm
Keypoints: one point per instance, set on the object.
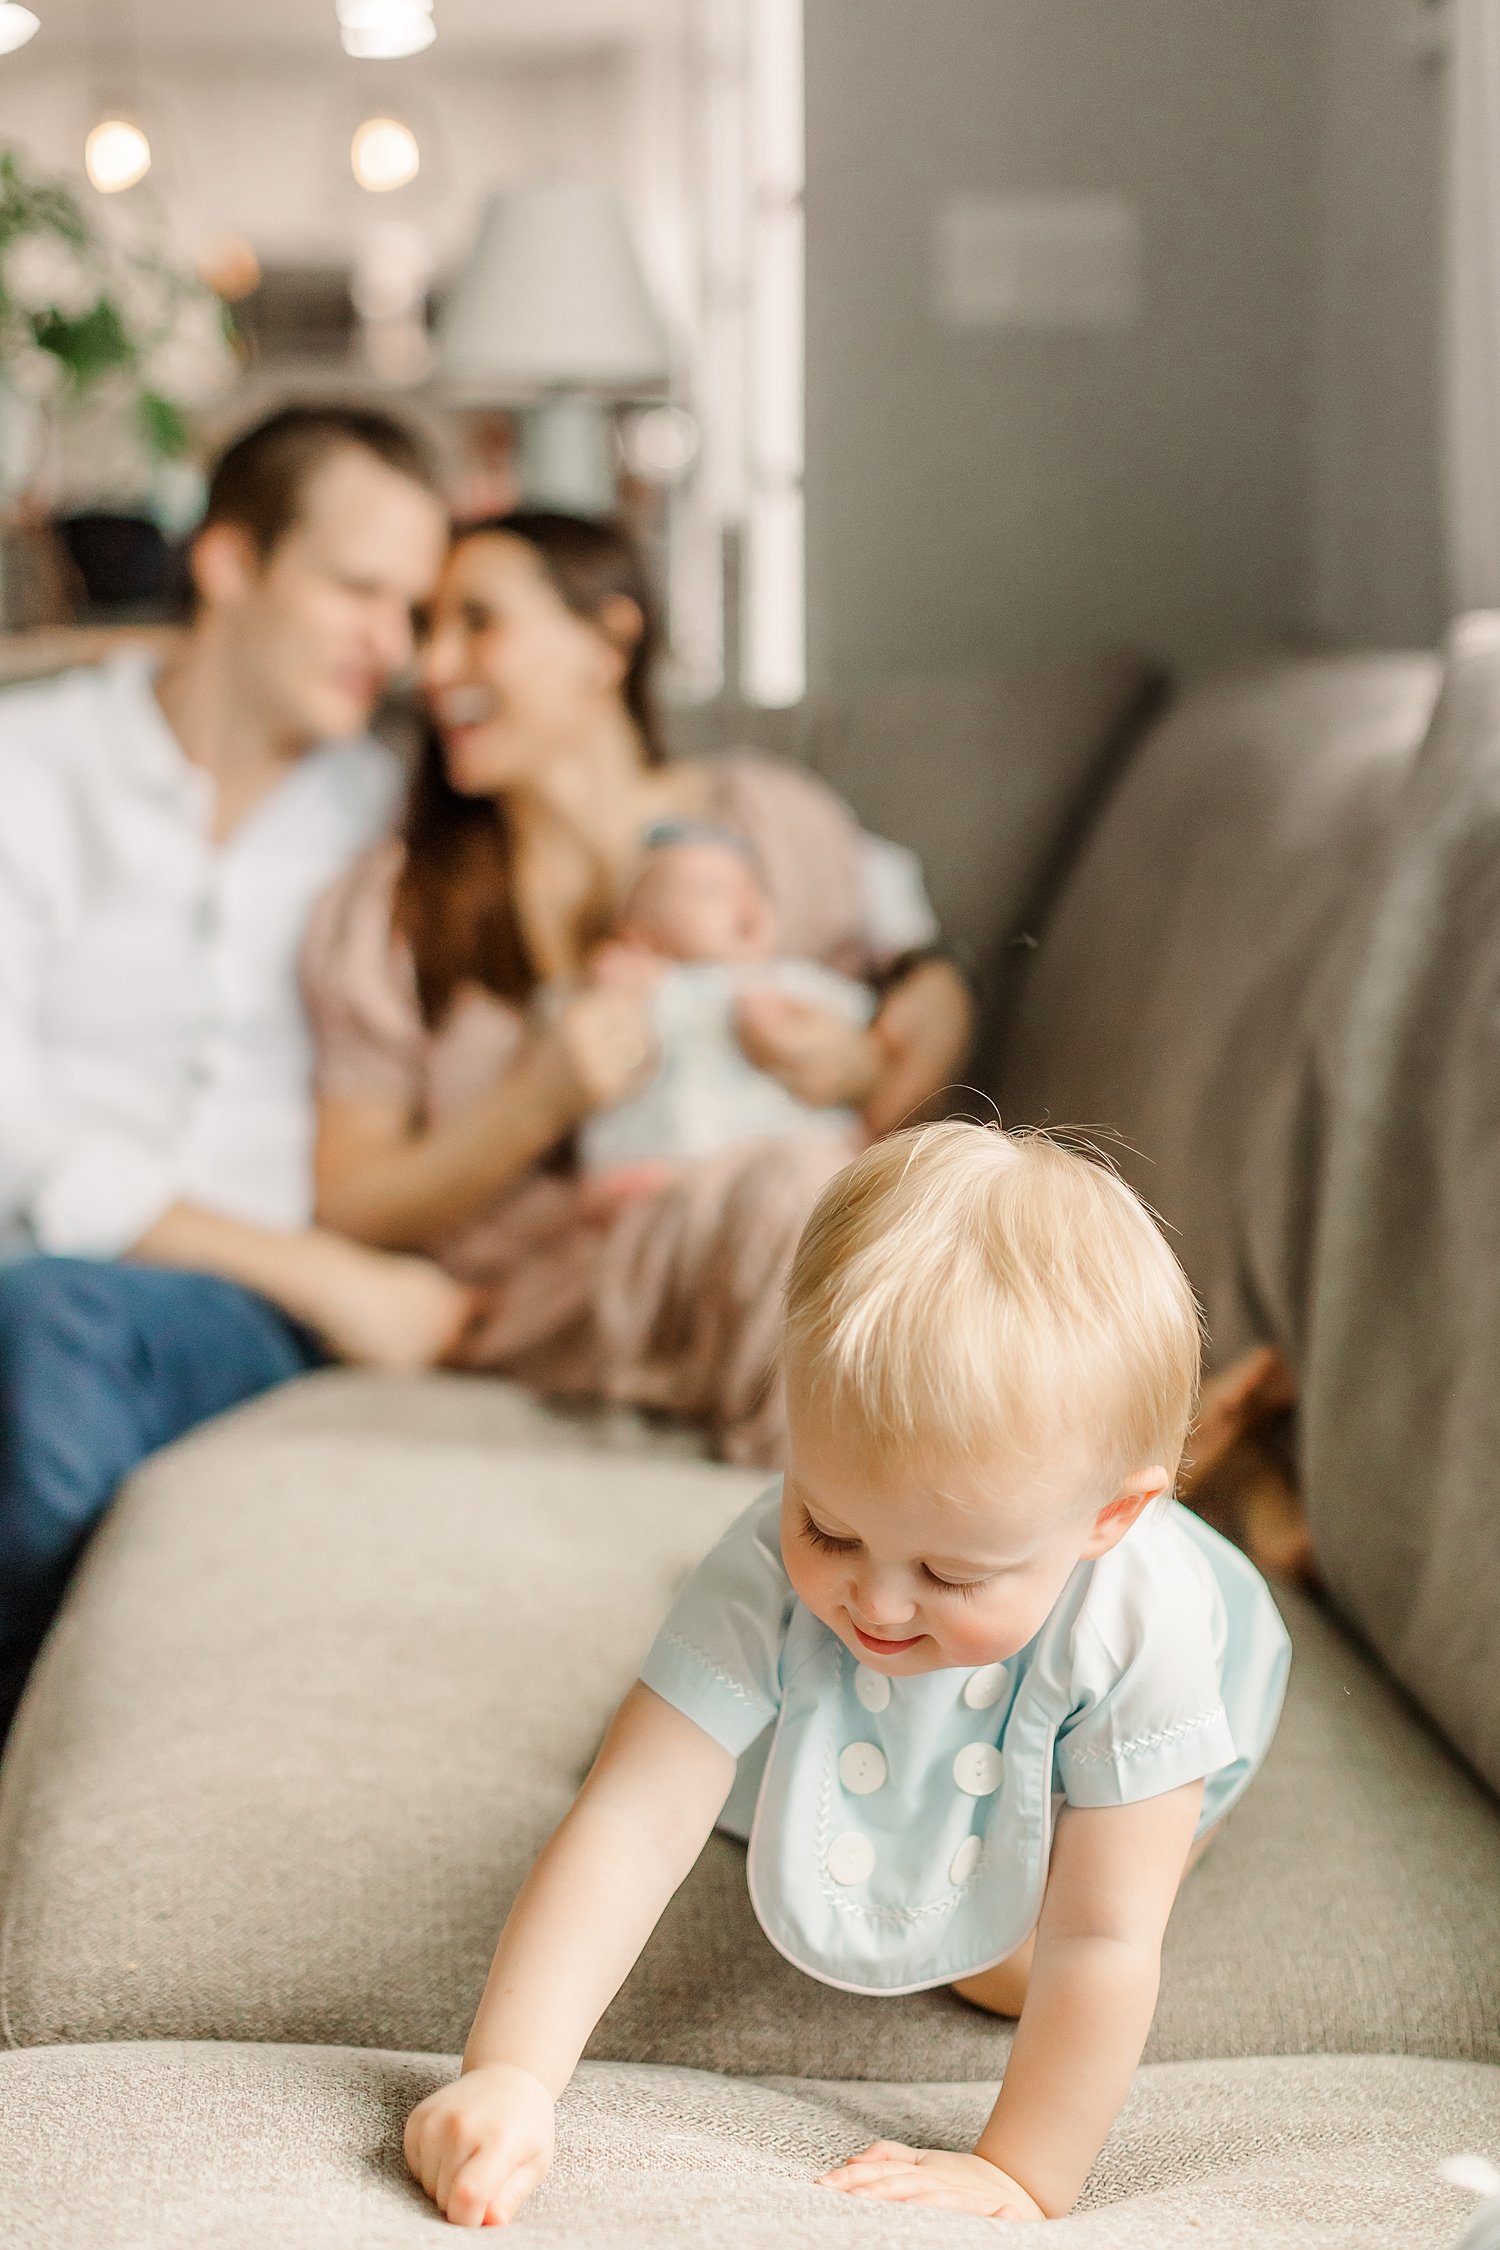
(1087, 2015)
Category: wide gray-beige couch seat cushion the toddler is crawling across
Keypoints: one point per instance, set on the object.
(316, 1702)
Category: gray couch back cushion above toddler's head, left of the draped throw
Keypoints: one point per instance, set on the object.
(1177, 989)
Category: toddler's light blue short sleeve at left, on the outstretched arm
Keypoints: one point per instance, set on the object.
(719, 1653)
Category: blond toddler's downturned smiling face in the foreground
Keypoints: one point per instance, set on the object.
(928, 1569)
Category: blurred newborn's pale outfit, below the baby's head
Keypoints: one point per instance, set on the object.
(707, 1095)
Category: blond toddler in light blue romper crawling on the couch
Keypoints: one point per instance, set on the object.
(991, 1686)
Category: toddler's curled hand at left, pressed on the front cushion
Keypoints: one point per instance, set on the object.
(482, 2145)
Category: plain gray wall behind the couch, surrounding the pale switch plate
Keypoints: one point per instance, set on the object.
(1254, 462)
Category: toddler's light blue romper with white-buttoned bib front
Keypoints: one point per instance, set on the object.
(901, 1828)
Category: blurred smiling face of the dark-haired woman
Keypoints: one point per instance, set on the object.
(514, 678)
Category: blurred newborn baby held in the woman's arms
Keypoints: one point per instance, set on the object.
(701, 930)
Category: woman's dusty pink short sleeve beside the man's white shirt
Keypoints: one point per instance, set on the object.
(361, 991)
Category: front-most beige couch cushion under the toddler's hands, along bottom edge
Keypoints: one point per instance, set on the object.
(168, 2148)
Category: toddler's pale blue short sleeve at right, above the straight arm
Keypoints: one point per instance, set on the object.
(1148, 1711)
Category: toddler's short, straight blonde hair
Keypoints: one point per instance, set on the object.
(970, 1293)
